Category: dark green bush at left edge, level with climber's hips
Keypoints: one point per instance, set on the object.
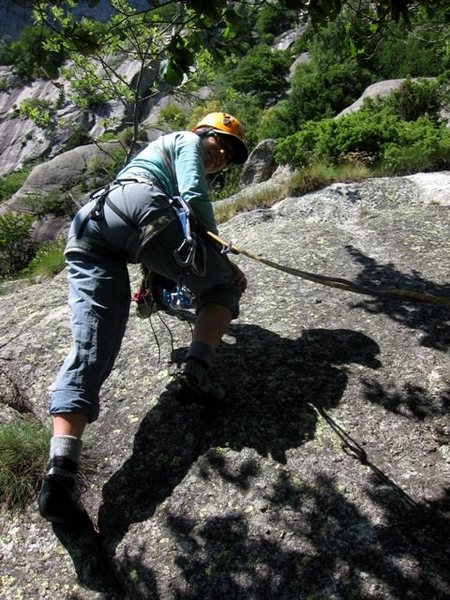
(16, 245)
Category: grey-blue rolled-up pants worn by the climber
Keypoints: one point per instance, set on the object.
(99, 287)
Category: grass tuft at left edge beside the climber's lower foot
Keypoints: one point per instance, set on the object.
(23, 456)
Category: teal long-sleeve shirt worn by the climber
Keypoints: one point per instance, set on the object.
(176, 162)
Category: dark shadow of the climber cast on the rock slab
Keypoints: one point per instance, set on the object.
(273, 380)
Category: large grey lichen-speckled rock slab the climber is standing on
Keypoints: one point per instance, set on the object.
(326, 473)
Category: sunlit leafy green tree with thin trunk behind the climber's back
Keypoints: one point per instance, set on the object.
(170, 35)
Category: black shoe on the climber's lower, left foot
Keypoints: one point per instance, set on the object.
(58, 502)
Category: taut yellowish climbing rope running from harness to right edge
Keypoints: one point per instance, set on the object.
(335, 282)
